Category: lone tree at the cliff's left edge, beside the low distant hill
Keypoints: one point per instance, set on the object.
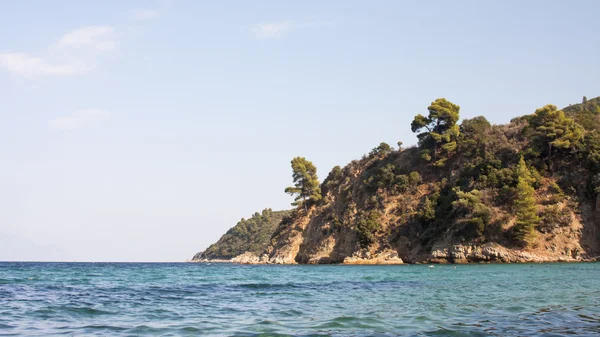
(306, 183)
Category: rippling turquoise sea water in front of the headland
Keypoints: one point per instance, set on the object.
(233, 300)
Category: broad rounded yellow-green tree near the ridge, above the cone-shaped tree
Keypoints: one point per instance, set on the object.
(552, 129)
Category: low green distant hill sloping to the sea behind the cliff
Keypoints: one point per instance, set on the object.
(251, 235)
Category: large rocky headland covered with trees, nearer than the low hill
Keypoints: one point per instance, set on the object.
(469, 192)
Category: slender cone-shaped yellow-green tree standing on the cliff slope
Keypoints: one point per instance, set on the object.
(525, 205)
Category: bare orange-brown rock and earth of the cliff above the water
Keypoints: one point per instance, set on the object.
(331, 234)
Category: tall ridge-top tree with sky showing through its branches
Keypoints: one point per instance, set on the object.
(438, 131)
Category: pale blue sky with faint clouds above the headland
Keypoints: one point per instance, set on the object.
(143, 130)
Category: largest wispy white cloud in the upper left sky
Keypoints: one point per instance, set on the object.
(74, 53)
